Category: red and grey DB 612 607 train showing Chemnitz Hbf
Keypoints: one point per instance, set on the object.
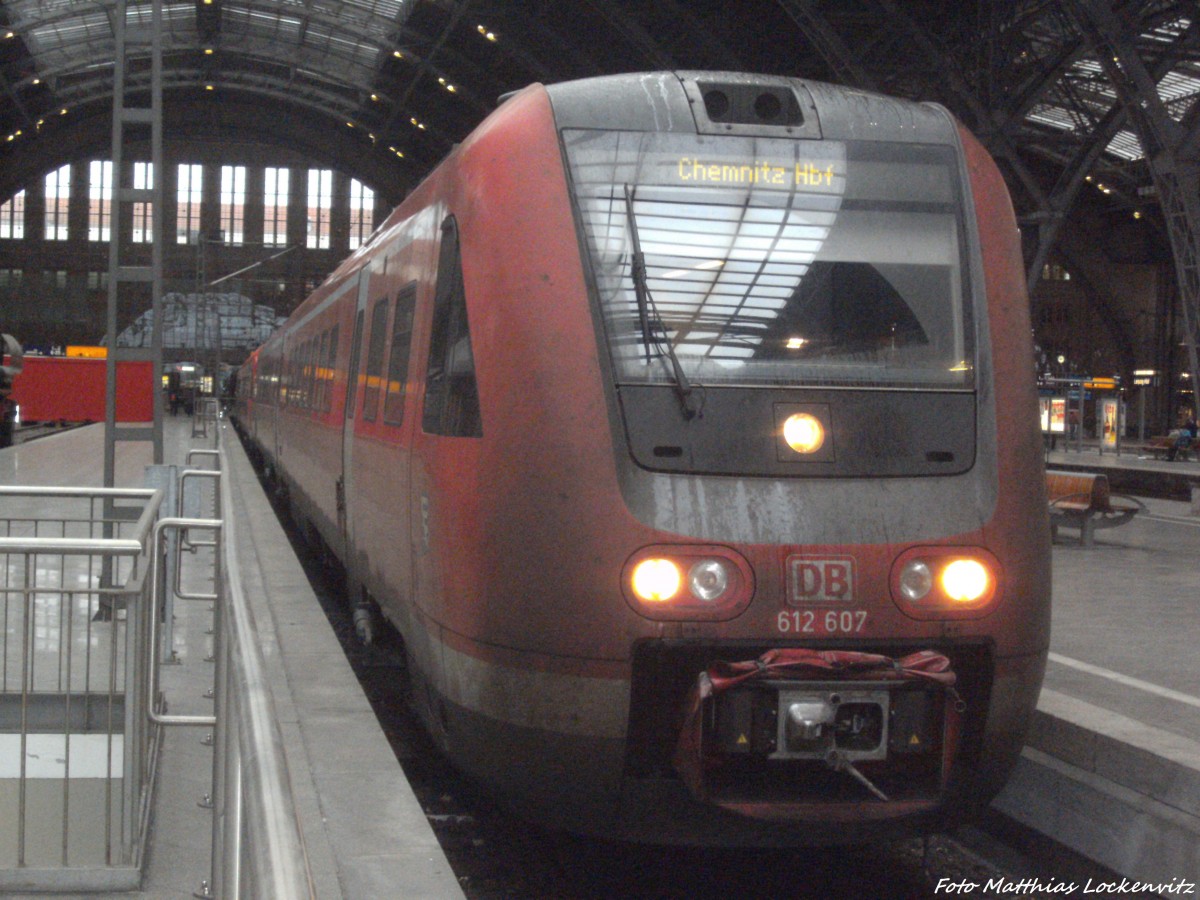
(683, 425)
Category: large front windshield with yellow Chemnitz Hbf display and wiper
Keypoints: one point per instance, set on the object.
(770, 262)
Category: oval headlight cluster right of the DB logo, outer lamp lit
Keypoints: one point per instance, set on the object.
(946, 583)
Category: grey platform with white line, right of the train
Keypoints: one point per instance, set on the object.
(1113, 765)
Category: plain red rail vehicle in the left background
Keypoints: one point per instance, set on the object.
(73, 391)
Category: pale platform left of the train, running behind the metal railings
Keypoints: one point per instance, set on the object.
(365, 833)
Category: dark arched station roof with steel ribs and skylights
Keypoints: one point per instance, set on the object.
(1089, 106)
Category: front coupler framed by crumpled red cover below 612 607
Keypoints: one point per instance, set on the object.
(772, 725)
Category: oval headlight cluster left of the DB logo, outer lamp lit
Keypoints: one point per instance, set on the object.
(688, 583)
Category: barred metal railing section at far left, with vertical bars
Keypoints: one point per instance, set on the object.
(76, 748)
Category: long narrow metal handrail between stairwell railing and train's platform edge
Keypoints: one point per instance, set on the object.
(257, 845)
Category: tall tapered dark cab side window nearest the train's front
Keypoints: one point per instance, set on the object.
(452, 394)
